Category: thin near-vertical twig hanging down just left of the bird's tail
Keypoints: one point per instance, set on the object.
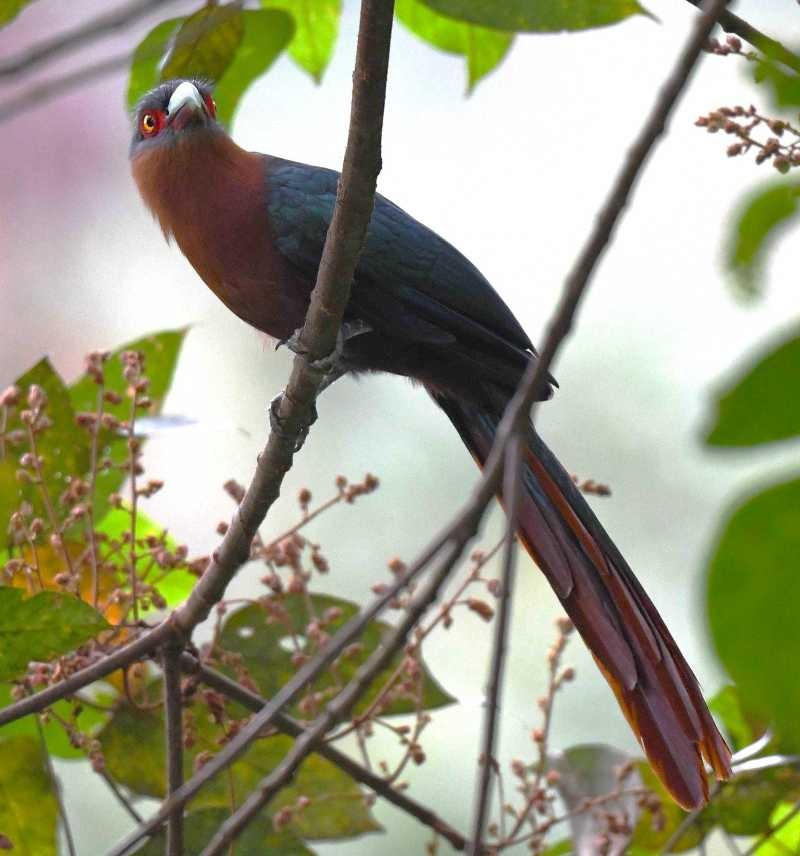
(511, 497)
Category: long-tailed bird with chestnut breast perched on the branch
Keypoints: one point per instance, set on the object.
(253, 227)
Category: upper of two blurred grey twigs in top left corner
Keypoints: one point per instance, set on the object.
(55, 46)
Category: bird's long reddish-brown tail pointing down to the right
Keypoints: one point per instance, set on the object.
(653, 683)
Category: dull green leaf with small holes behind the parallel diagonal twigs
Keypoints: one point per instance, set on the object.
(264, 639)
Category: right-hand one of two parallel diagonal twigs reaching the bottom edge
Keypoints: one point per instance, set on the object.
(336, 710)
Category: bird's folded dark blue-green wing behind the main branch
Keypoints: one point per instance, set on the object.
(407, 275)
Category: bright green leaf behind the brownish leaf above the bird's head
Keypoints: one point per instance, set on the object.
(265, 34)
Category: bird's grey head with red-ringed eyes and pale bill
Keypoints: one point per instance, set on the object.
(172, 113)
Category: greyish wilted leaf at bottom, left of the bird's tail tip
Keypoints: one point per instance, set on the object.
(593, 771)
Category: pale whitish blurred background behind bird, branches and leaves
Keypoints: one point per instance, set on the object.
(512, 176)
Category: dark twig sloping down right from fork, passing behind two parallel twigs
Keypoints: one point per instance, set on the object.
(293, 728)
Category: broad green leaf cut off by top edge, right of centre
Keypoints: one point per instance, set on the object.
(542, 16)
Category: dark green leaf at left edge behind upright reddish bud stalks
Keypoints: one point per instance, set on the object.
(63, 446)
